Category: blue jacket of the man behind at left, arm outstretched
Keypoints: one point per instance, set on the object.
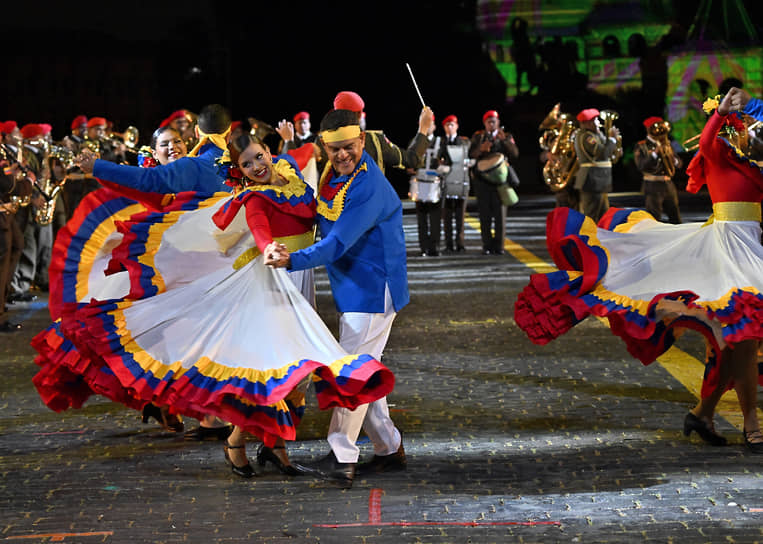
(186, 174)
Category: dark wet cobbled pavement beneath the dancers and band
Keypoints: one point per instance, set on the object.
(506, 441)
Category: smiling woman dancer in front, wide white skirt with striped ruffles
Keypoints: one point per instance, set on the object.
(205, 327)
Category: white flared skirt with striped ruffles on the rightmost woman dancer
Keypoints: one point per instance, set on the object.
(651, 280)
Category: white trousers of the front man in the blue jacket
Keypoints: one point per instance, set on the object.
(364, 333)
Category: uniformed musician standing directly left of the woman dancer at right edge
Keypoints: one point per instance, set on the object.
(655, 159)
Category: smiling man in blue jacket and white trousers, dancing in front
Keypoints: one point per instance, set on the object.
(362, 245)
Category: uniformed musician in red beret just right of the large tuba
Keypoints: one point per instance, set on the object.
(595, 152)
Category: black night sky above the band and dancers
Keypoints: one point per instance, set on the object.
(136, 62)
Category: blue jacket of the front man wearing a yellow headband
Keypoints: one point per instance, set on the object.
(364, 249)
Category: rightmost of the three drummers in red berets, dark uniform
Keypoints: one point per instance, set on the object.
(492, 211)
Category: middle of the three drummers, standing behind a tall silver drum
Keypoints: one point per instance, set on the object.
(456, 186)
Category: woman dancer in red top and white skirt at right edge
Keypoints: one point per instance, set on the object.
(652, 280)
